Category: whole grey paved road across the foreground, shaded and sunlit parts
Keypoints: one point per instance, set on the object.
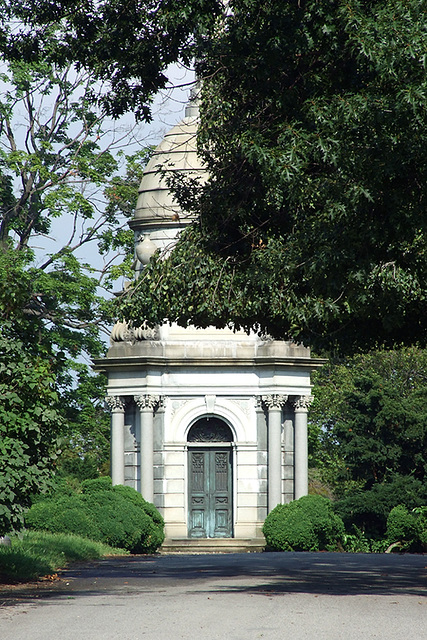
(263, 596)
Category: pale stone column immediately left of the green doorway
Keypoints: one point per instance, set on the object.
(146, 404)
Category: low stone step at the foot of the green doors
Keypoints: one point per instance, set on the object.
(212, 545)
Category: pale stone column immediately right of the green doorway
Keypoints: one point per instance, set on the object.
(274, 404)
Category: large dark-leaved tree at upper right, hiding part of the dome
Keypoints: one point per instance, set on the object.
(312, 225)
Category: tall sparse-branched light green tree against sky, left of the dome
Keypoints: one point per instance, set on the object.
(57, 163)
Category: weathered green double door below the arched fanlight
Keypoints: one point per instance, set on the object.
(210, 493)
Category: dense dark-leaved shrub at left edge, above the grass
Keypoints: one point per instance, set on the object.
(29, 422)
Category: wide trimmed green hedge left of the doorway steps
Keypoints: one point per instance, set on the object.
(117, 516)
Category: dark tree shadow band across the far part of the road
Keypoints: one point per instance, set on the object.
(255, 573)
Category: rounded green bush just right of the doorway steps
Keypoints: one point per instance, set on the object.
(307, 524)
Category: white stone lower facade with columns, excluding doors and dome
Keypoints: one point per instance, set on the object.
(260, 389)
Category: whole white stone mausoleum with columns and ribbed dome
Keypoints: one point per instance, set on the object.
(210, 425)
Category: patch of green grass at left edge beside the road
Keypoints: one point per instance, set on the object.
(38, 554)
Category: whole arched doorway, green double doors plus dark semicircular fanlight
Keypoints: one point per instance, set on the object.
(210, 481)
